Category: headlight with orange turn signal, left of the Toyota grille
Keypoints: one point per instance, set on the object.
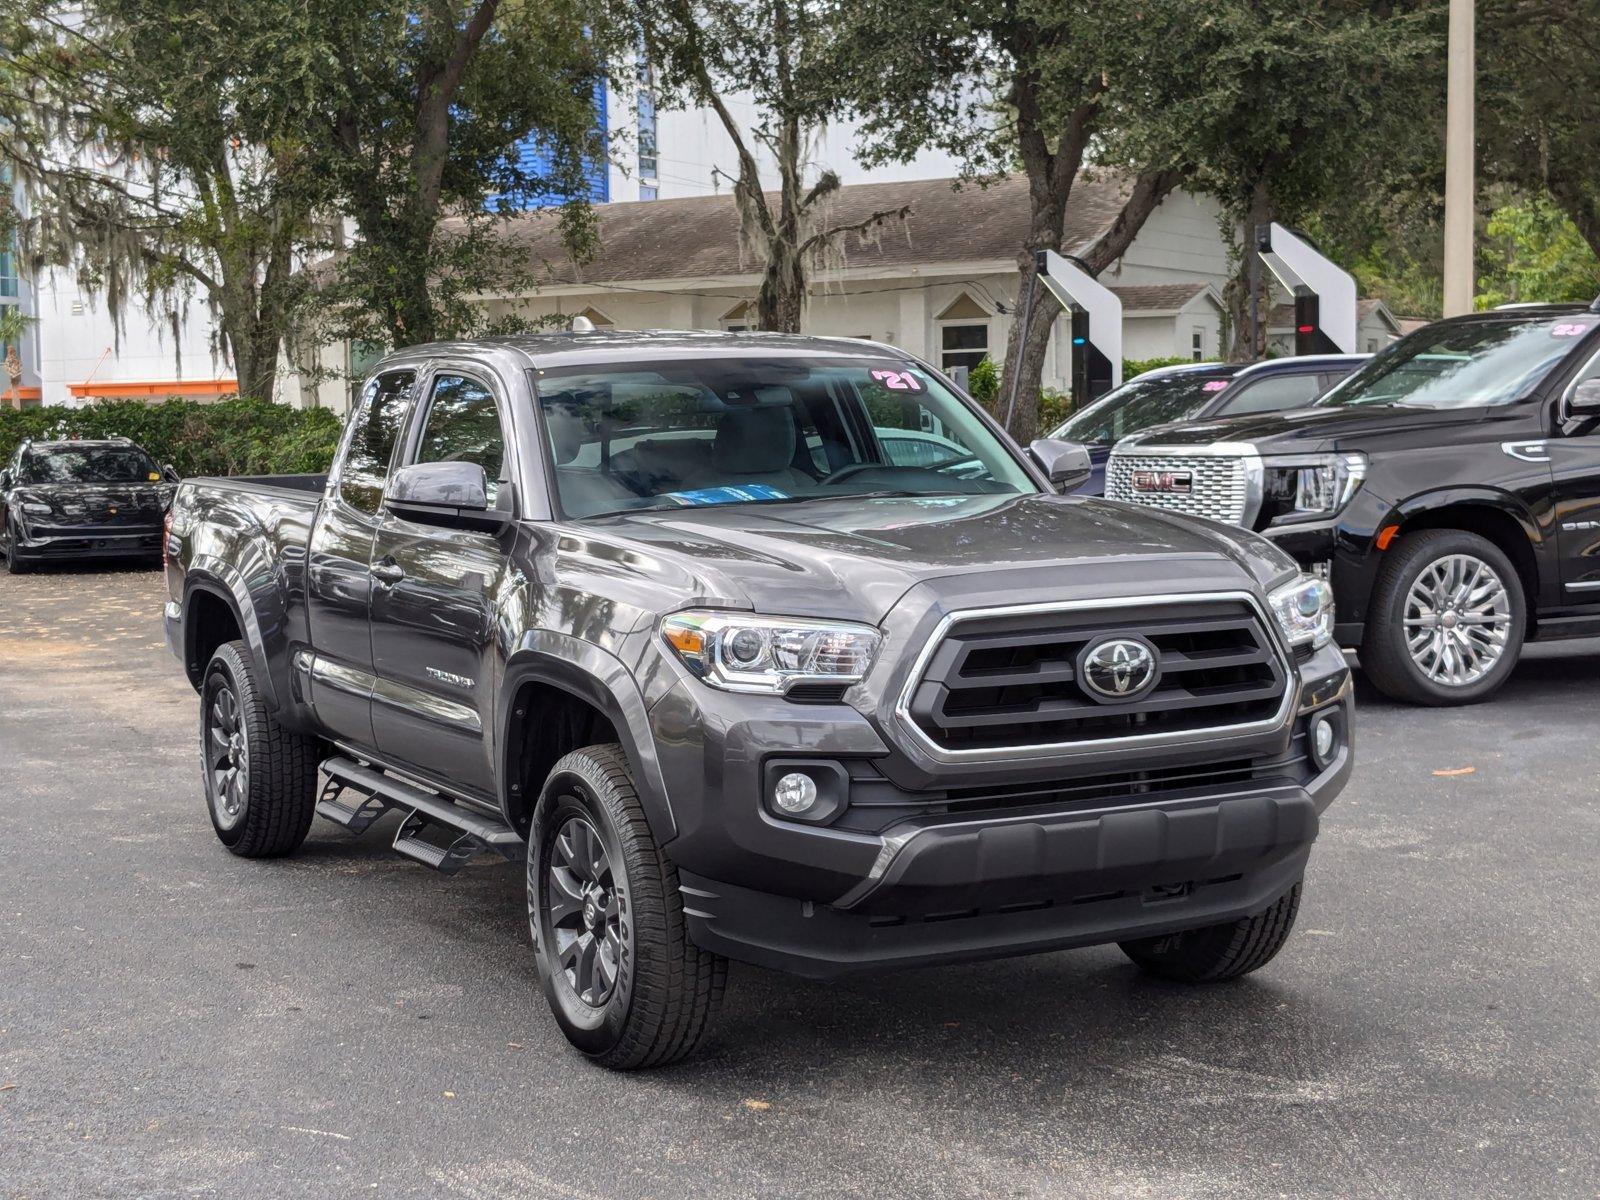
(738, 652)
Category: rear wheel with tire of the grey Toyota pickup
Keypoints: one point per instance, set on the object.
(265, 809)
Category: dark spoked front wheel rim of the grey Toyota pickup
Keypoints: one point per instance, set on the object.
(585, 900)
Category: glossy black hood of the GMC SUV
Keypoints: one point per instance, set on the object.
(1306, 430)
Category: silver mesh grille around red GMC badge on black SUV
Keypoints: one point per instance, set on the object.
(1226, 479)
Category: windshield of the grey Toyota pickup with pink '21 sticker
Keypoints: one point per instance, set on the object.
(764, 431)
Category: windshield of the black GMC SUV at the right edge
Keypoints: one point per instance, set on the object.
(1468, 366)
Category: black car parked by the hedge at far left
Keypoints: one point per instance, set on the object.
(82, 500)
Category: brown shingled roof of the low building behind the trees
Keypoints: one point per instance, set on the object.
(700, 236)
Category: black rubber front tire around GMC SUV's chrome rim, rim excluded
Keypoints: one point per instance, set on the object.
(1386, 657)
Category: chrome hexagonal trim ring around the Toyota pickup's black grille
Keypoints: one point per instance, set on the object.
(1268, 625)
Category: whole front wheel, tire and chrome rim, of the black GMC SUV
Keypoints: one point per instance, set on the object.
(1447, 620)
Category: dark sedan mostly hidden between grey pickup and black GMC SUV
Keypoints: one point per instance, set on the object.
(1196, 391)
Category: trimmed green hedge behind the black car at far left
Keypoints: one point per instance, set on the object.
(230, 438)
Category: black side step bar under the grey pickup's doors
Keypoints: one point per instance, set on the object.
(470, 834)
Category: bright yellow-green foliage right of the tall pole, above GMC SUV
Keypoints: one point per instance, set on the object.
(1534, 252)
